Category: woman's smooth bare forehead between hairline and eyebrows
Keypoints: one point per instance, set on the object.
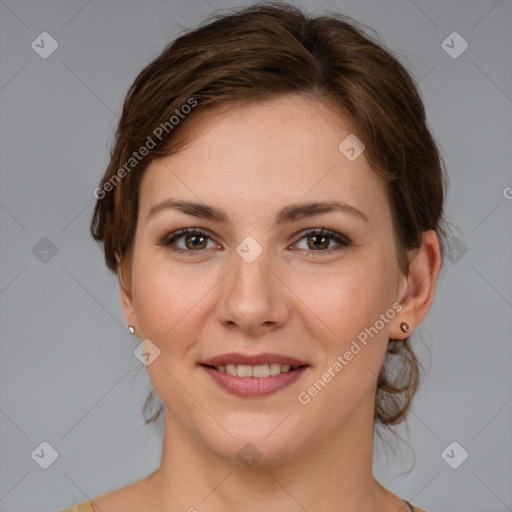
(274, 152)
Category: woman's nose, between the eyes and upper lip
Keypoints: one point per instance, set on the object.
(253, 297)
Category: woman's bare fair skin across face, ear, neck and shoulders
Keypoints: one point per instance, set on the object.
(251, 162)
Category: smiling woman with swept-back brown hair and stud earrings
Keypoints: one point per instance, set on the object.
(273, 210)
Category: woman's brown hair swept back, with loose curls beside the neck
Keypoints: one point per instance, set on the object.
(259, 53)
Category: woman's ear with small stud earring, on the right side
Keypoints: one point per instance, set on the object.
(416, 291)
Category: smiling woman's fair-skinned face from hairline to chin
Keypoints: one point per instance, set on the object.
(261, 273)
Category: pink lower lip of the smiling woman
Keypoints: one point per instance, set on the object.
(254, 386)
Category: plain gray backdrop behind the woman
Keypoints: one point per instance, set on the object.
(68, 374)
